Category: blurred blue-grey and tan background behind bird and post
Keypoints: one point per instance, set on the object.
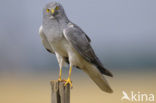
(123, 34)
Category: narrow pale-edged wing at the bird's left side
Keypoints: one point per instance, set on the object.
(45, 41)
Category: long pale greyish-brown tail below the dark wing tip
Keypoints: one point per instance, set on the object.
(98, 78)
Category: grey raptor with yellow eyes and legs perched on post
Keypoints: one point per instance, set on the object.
(71, 45)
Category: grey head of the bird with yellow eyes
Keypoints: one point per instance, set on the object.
(54, 10)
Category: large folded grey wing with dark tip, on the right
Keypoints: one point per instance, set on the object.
(81, 42)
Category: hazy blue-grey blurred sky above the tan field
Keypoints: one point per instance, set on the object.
(123, 32)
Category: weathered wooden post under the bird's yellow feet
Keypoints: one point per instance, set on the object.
(59, 92)
